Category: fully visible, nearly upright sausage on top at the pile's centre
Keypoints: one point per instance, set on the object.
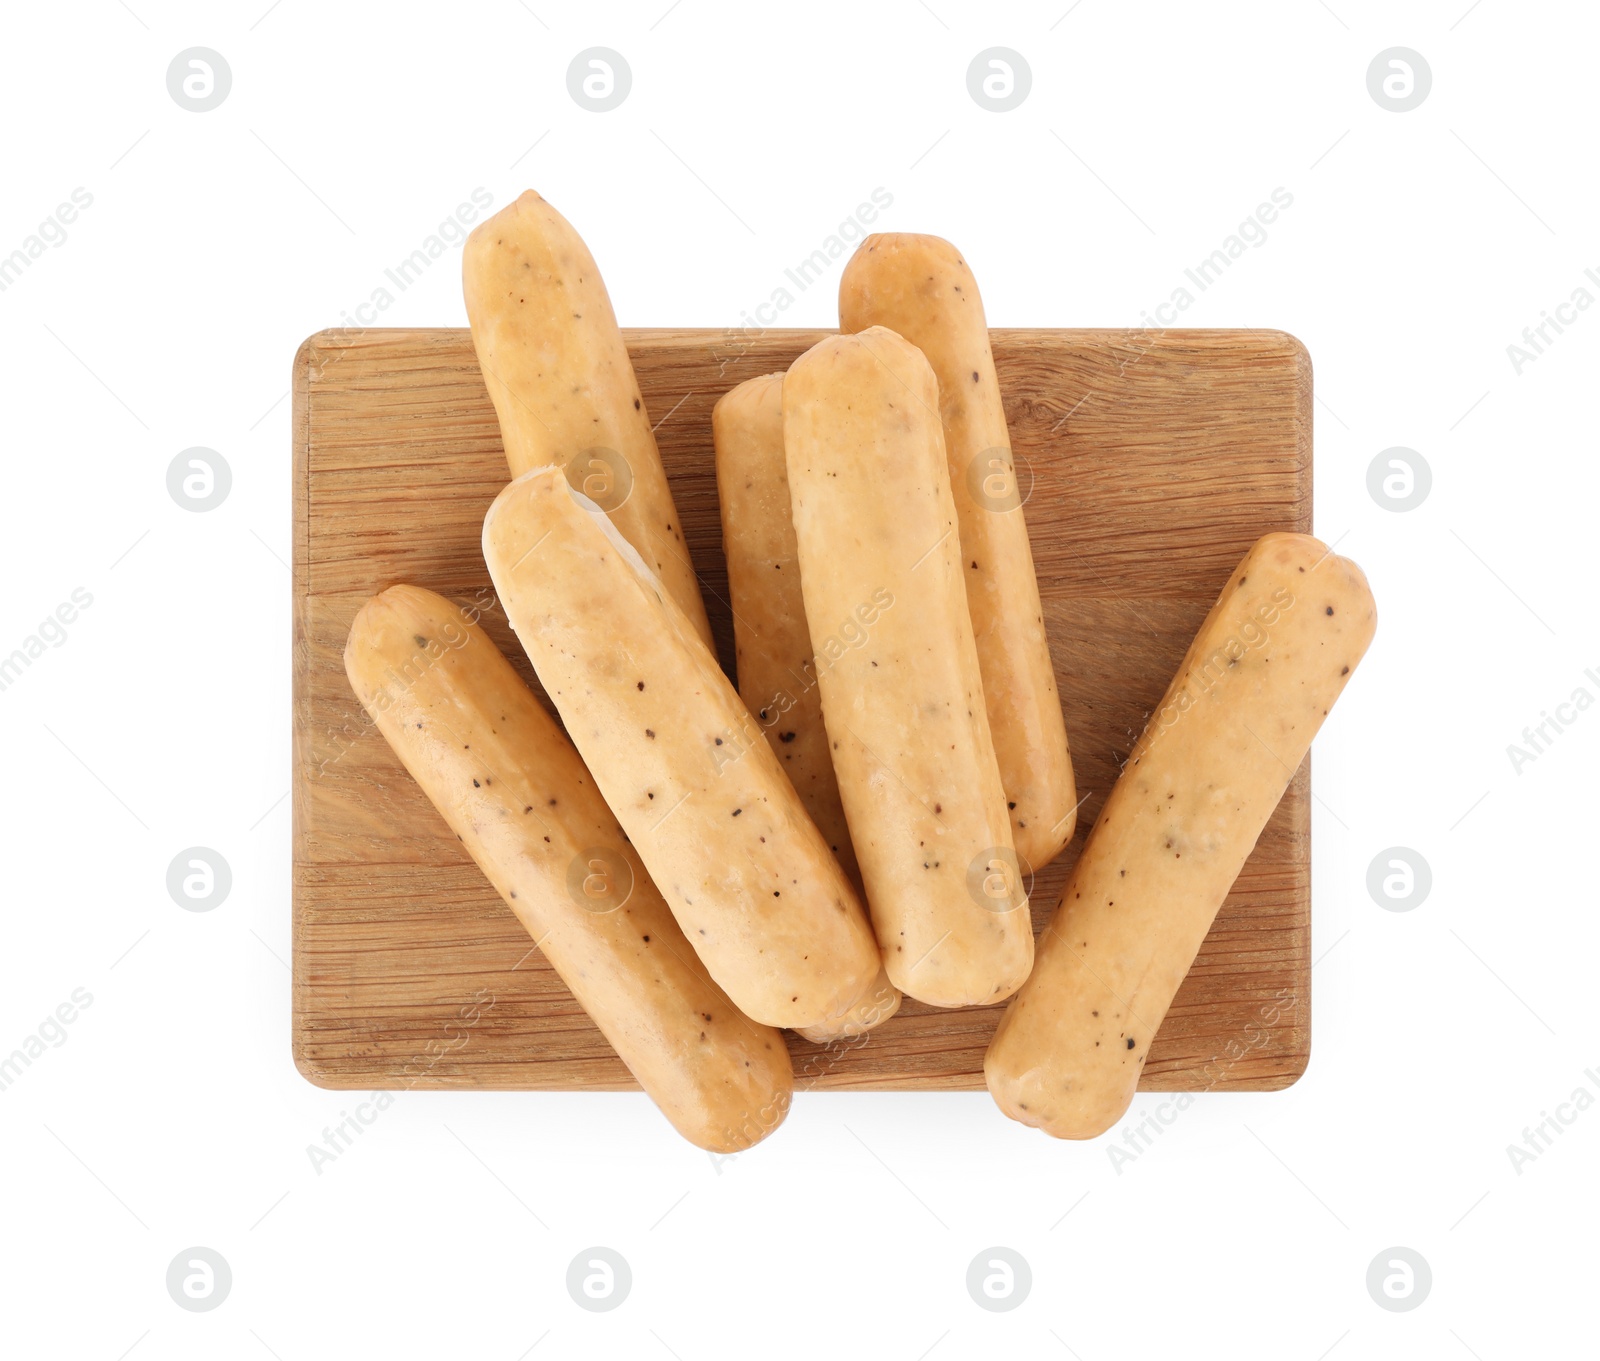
(902, 692)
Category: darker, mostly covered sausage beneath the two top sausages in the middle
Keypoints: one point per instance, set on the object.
(777, 674)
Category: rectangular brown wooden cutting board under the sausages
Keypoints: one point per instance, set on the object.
(1156, 461)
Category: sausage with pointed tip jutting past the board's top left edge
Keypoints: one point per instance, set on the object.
(564, 386)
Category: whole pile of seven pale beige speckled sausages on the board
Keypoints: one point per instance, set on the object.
(862, 818)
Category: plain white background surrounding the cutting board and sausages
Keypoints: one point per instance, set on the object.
(1418, 249)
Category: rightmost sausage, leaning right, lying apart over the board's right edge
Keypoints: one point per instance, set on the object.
(1215, 759)
